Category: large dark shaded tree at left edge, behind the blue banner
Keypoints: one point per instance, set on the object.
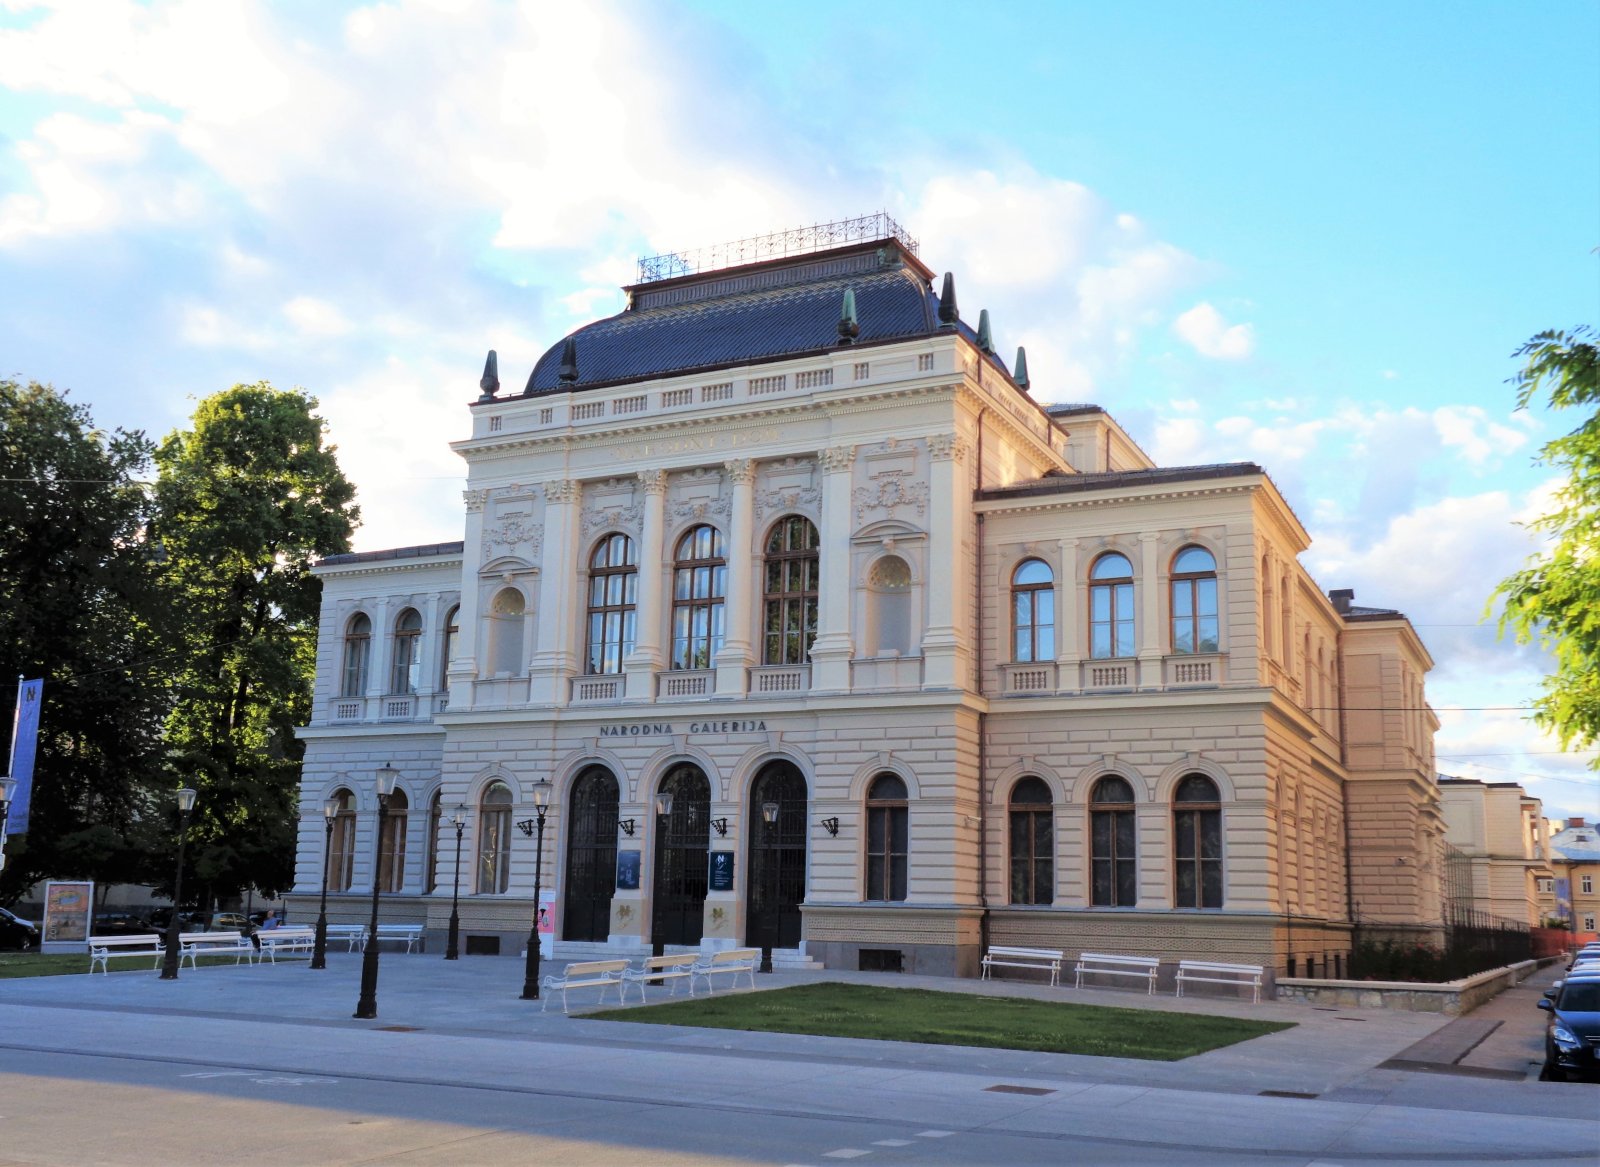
(81, 606)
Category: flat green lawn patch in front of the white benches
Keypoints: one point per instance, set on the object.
(958, 1019)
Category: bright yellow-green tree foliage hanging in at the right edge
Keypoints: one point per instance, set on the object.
(1556, 600)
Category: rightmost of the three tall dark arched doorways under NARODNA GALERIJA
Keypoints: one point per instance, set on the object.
(777, 862)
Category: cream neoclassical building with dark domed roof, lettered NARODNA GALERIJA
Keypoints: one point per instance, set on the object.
(924, 665)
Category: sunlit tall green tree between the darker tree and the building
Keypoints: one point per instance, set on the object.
(246, 502)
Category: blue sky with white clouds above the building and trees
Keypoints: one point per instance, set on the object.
(1305, 236)
